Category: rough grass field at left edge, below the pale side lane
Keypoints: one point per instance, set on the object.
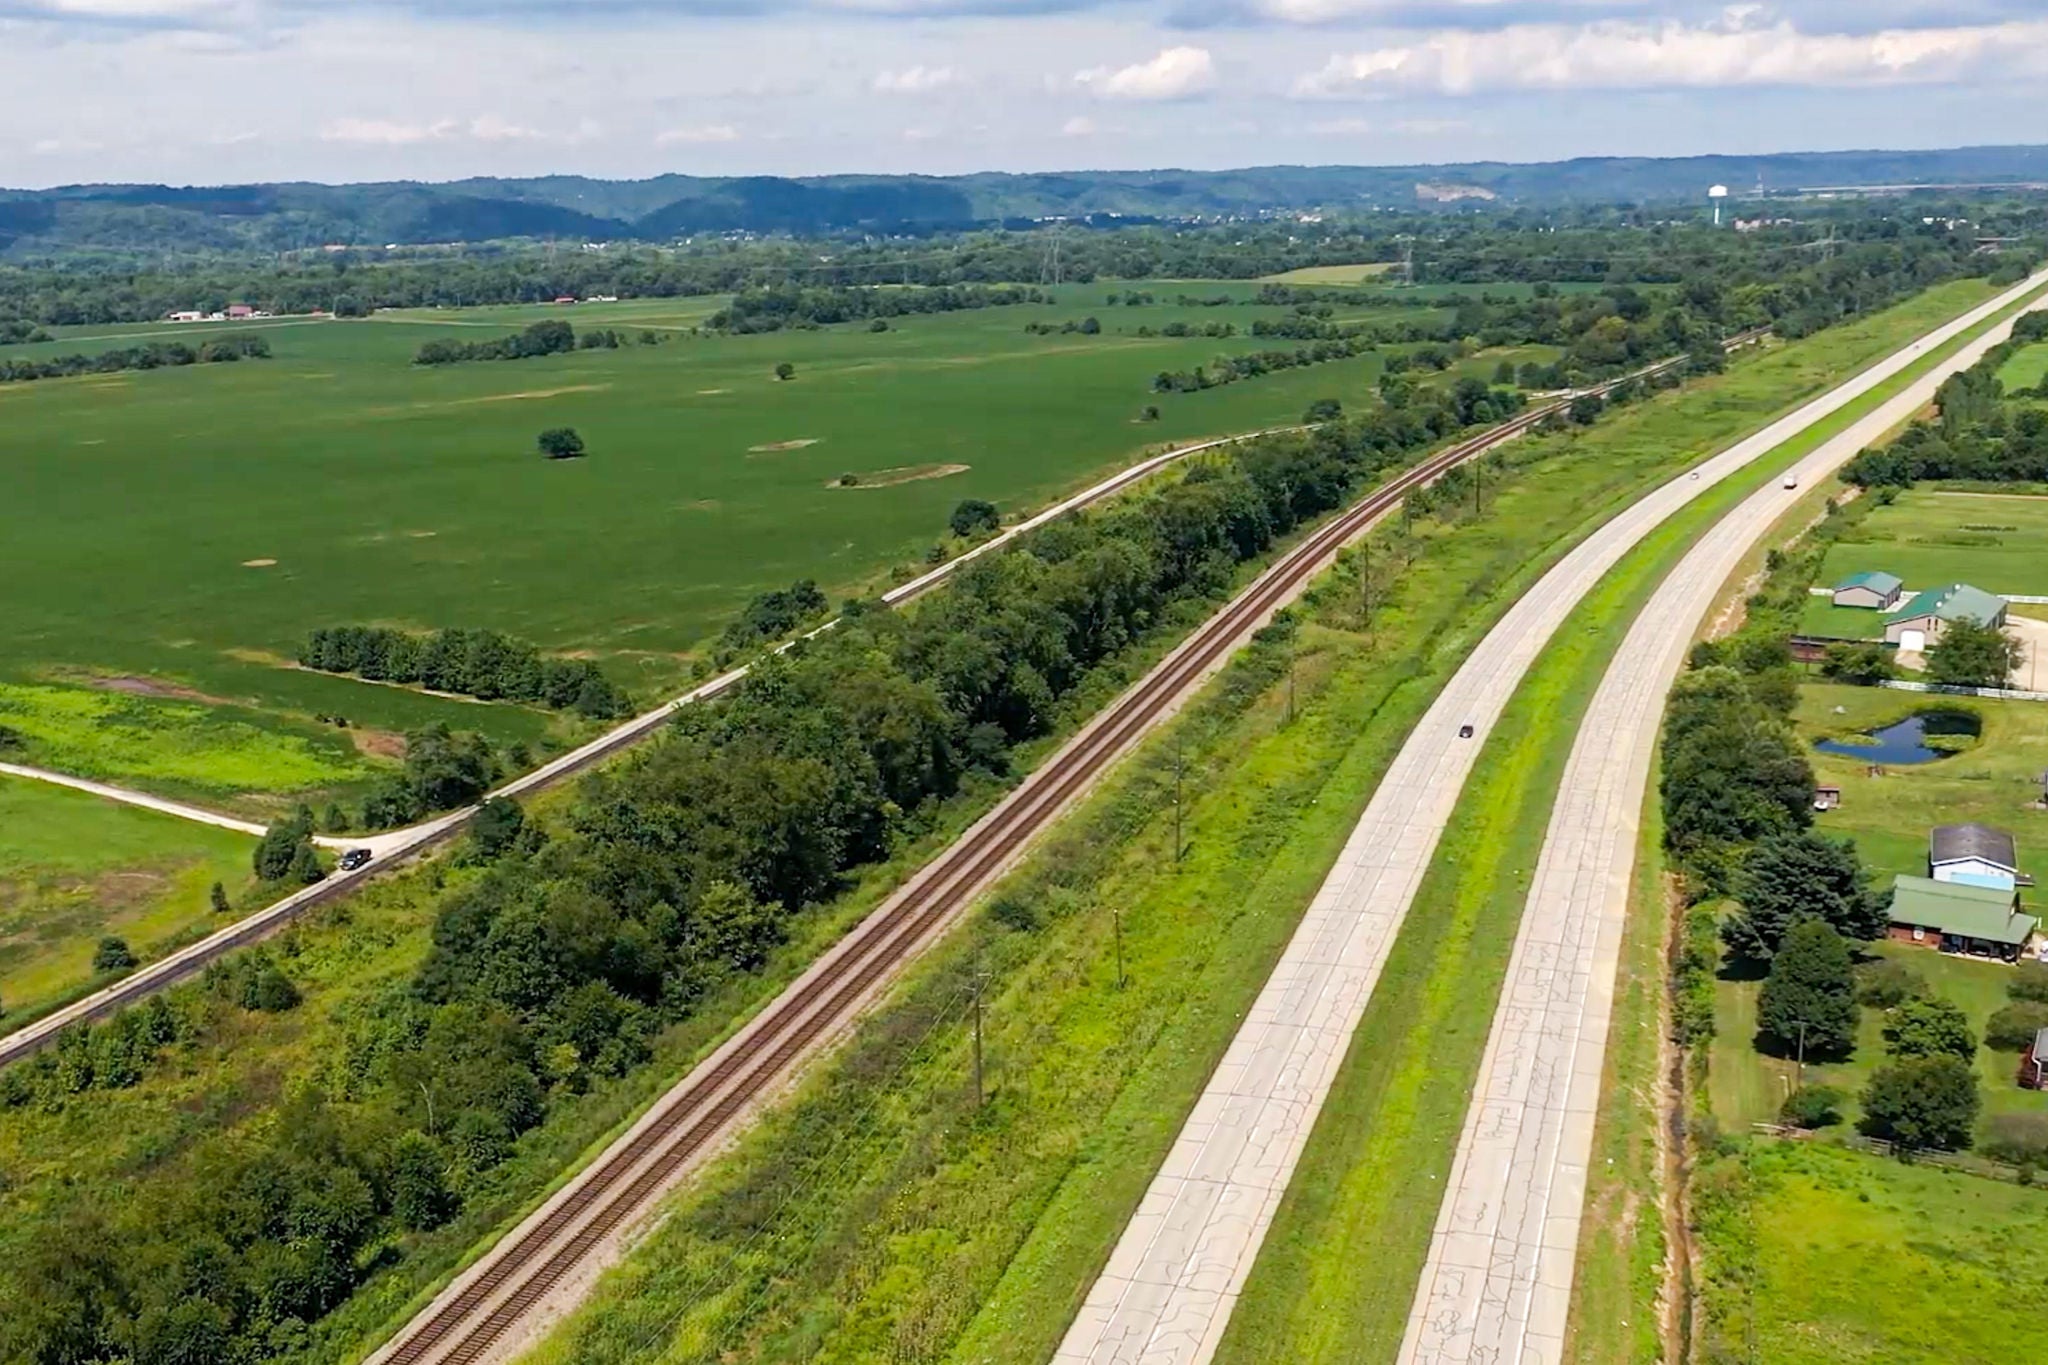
(75, 869)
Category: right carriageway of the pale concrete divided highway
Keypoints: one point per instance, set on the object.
(1498, 1280)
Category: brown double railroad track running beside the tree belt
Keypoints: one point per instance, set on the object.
(484, 1305)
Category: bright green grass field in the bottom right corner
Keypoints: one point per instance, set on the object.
(1828, 1258)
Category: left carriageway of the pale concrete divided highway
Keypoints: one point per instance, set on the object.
(1170, 1286)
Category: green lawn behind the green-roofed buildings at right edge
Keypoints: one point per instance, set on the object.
(1934, 537)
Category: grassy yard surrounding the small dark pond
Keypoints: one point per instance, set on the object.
(1889, 818)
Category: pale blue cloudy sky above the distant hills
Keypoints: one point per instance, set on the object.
(218, 91)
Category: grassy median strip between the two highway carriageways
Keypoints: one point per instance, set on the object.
(1371, 1178)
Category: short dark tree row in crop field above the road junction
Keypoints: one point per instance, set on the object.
(482, 664)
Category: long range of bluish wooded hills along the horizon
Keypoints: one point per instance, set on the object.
(128, 218)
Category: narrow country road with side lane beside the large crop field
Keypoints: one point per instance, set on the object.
(402, 846)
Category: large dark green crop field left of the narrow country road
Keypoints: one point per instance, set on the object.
(194, 525)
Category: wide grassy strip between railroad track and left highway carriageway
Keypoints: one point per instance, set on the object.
(857, 1225)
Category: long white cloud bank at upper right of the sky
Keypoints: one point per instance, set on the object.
(1631, 56)
